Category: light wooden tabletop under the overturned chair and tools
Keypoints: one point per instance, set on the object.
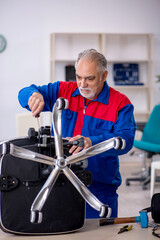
(92, 231)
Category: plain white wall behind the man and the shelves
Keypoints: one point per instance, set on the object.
(27, 24)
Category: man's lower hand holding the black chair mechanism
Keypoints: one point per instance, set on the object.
(87, 143)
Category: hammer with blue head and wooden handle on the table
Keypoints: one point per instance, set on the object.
(143, 219)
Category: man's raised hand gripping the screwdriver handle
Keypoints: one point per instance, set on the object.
(36, 103)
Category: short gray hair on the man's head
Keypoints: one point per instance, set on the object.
(93, 55)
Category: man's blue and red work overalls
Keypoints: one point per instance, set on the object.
(110, 115)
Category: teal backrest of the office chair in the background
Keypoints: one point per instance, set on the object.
(151, 132)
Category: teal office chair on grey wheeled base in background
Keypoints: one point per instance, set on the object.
(149, 144)
